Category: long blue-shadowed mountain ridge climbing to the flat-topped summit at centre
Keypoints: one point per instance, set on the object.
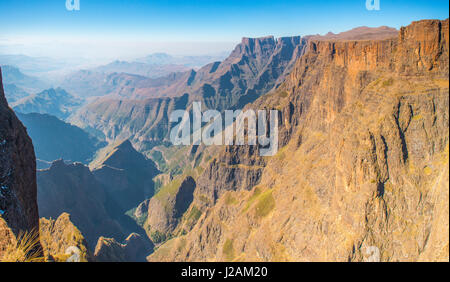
(255, 67)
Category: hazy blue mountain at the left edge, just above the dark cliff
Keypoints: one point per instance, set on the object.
(12, 75)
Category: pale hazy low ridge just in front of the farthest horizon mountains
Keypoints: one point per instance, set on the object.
(144, 69)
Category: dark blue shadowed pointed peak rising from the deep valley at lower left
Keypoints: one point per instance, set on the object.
(97, 198)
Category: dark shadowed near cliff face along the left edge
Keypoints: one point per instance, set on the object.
(18, 204)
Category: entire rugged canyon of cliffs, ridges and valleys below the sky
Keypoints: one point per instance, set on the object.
(362, 161)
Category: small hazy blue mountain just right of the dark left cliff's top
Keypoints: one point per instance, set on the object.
(55, 102)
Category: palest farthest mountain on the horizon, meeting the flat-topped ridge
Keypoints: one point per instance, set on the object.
(190, 61)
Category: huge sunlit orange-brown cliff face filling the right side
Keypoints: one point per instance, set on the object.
(362, 166)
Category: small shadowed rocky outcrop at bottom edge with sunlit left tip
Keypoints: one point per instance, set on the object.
(134, 249)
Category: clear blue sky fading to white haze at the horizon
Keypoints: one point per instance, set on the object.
(133, 28)
